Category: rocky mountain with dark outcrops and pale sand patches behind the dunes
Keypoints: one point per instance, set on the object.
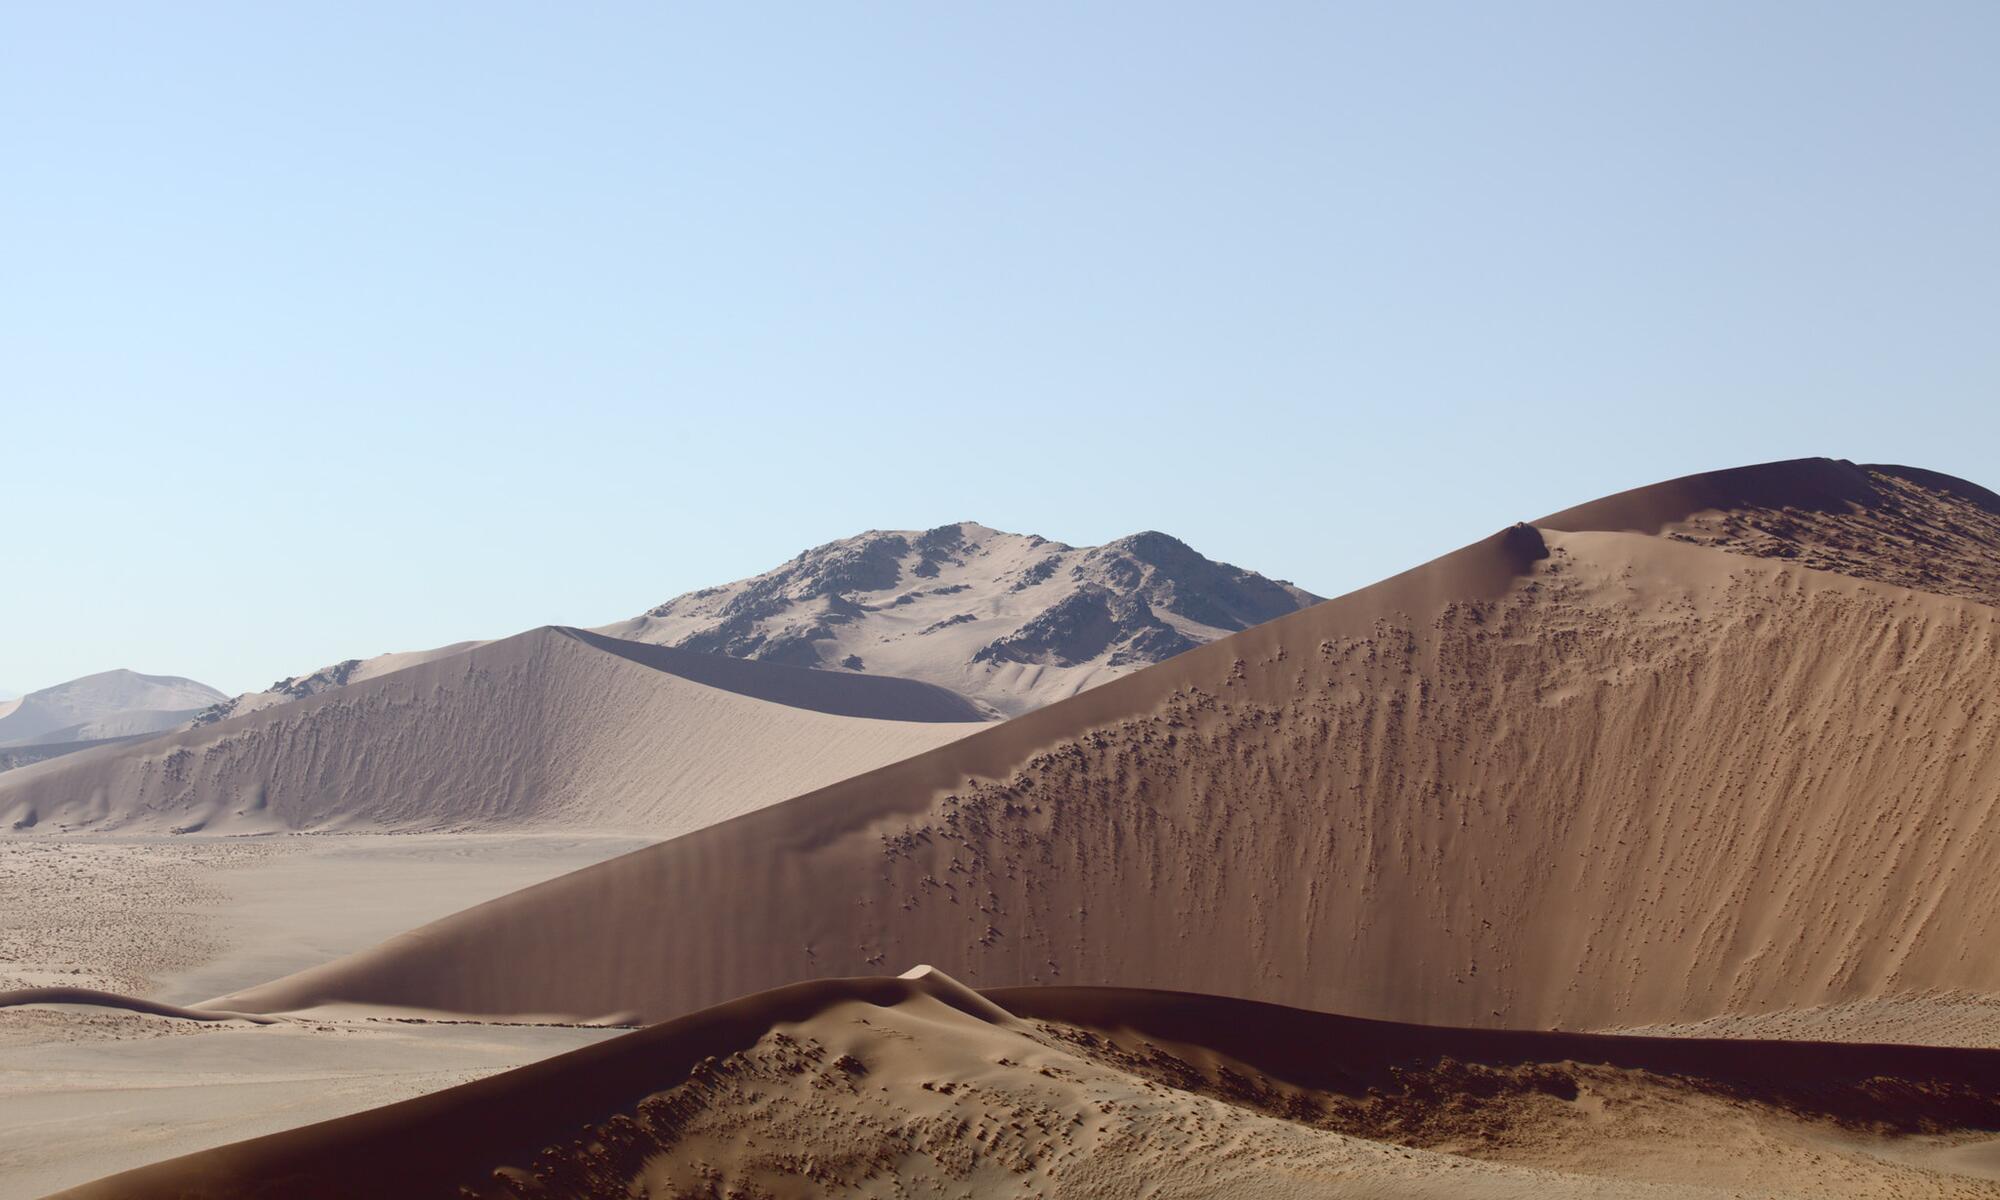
(1011, 621)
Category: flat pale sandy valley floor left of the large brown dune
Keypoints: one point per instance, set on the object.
(89, 1091)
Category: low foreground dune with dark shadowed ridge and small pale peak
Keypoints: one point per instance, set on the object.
(921, 1087)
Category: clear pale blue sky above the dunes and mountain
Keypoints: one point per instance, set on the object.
(329, 331)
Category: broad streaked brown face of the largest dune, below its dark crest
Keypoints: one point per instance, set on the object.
(1557, 779)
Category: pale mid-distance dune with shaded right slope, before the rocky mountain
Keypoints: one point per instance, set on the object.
(545, 729)
